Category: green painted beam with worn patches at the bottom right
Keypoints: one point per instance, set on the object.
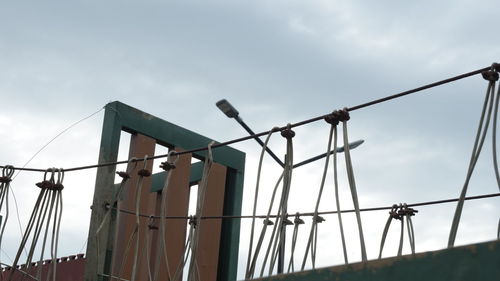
(472, 262)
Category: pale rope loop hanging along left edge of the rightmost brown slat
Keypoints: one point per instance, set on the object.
(194, 274)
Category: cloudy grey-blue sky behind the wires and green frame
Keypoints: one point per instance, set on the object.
(277, 62)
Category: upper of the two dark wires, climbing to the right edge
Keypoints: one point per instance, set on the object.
(495, 66)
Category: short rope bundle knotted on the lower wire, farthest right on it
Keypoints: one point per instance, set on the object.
(400, 212)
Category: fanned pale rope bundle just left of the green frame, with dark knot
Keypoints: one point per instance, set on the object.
(46, 212)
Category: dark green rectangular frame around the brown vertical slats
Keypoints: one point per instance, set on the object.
(120, 117)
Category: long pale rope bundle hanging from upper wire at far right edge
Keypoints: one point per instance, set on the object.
(491, 76)
